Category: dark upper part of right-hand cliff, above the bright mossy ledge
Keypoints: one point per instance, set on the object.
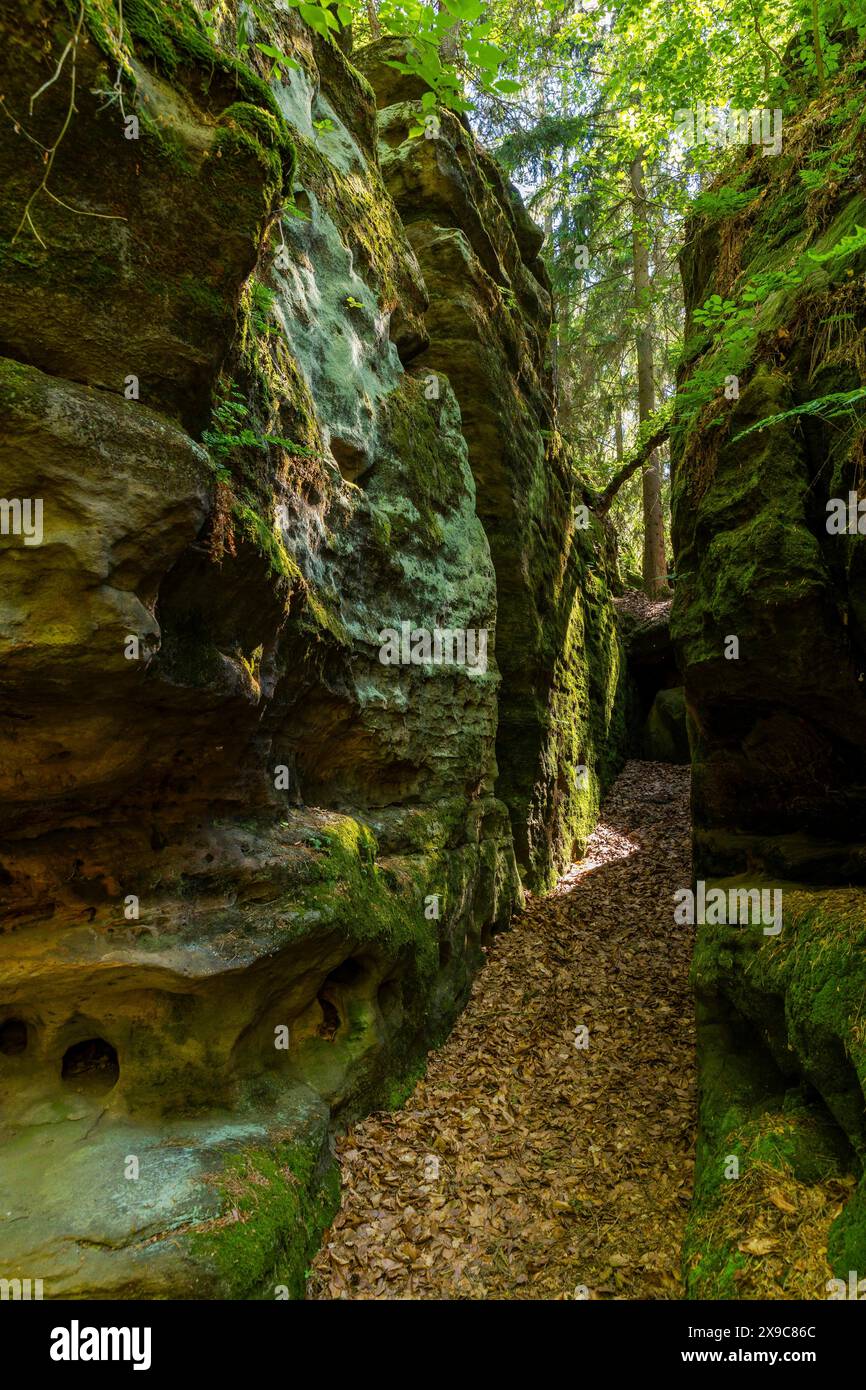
(781, 723)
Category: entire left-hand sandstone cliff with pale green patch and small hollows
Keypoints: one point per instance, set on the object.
(293, 445)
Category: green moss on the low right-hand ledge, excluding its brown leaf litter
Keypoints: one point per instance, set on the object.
(799, 996)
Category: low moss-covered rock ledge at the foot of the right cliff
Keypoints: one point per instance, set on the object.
(783, 1068)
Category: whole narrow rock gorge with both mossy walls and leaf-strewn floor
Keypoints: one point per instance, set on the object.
(340, 740)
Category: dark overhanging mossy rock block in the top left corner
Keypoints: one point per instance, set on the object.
(138, 275)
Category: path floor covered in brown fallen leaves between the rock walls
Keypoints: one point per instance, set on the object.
(526, 1166)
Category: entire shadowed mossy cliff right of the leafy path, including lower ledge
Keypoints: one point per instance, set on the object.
(769, 626)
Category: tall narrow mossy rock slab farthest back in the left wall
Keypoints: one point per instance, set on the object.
(564, 704)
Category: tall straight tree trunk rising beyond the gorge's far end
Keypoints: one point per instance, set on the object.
(655, 566)
